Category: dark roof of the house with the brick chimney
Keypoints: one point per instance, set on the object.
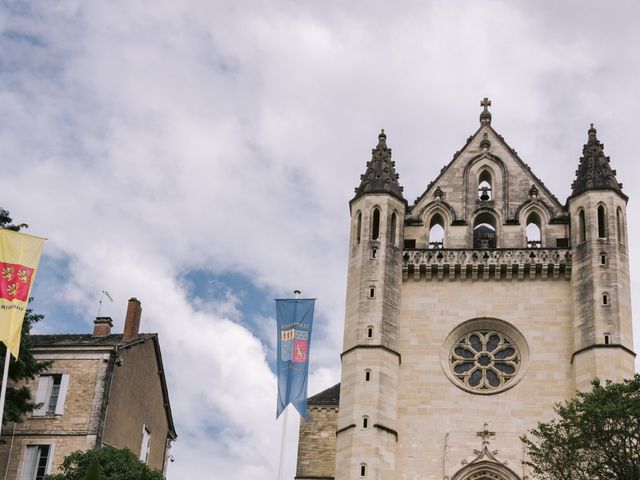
(110, 342)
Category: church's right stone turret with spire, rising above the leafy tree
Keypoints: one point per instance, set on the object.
(600, 277)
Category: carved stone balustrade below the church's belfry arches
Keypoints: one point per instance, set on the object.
(485, 264)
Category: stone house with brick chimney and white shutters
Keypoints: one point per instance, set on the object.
(102, 389)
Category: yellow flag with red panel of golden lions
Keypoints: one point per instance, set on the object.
(19, 257)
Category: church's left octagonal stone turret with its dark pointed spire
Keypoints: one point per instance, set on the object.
(367, 431)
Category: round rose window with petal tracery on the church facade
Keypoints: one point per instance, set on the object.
(484, 360)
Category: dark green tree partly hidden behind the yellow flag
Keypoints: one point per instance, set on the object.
(25, 367)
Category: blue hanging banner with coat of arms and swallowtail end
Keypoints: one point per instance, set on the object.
(295, 319)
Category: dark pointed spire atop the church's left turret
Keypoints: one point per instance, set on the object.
(381, 176)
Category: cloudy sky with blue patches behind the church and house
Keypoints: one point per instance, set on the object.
(200, 155)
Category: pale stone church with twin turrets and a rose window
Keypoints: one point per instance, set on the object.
(469, 314)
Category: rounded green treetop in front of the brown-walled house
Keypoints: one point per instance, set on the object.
(106, 463)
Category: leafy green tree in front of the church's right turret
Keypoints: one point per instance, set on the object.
(596, 436)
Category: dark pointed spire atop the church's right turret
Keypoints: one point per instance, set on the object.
(594, 171)
